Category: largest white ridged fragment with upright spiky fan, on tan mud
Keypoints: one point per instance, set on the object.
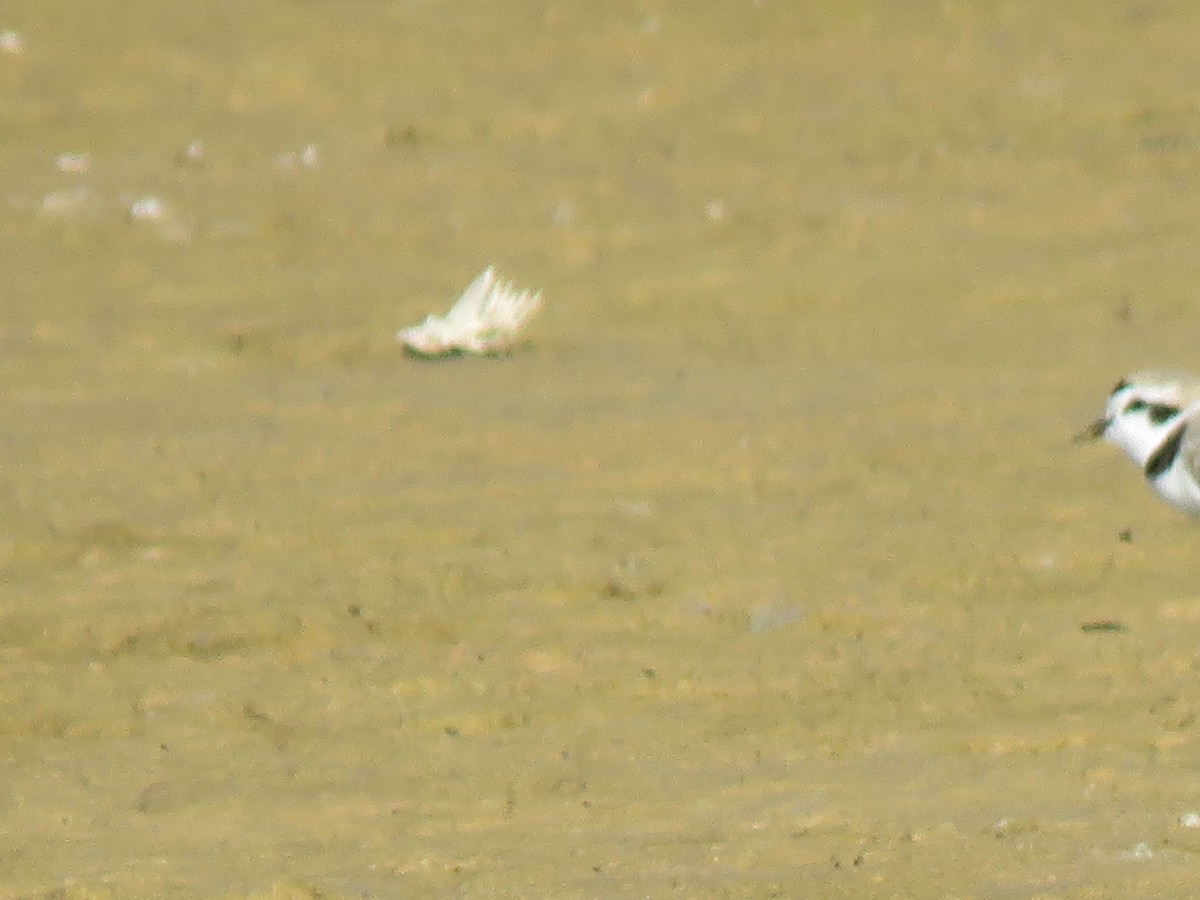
(485, 320)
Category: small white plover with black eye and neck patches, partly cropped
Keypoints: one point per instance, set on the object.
(1154, 418)
